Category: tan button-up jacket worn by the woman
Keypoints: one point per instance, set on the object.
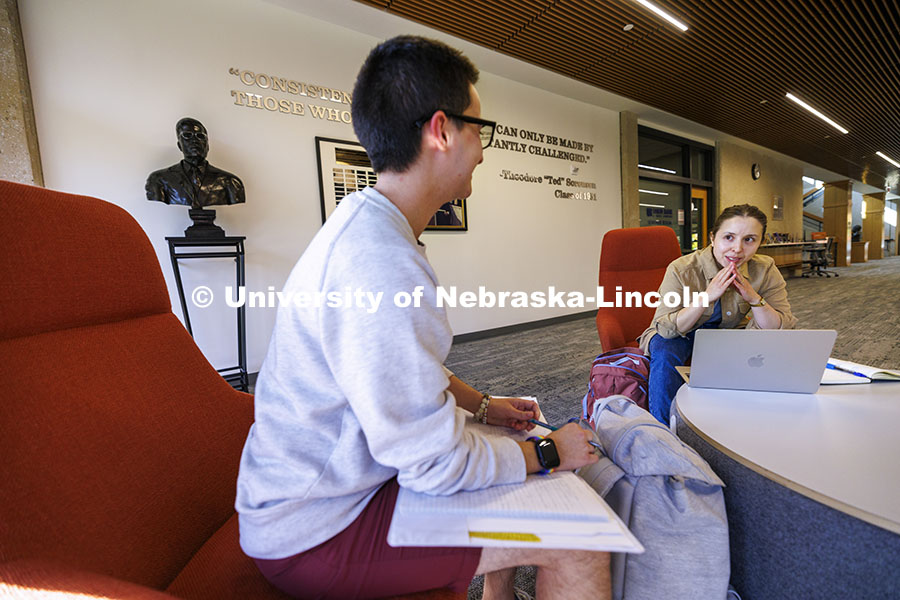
(696, 270)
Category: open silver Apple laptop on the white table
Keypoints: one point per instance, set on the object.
(770, 360)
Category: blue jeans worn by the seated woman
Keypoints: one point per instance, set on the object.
(665, 355)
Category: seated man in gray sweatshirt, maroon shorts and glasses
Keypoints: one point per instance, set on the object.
(353, 400)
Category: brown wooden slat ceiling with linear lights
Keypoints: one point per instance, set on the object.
(729, 71)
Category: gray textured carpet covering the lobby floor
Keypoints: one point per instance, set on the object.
(553, 362)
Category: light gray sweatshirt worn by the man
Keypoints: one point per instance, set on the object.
(351, 395)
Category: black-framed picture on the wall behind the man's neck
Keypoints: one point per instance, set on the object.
(344, 168)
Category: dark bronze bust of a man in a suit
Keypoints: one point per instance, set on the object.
(194, 182)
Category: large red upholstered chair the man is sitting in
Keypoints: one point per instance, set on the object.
(120, 443)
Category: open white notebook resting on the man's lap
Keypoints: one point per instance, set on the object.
(559, 510)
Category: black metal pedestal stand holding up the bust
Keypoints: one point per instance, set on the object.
(236, 376)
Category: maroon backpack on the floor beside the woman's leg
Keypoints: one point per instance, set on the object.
(624, 371)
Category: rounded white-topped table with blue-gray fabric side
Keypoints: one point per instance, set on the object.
(812, 486)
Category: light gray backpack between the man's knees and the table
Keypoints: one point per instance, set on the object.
(669, 498)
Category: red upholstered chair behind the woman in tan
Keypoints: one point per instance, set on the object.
(635, 259)
